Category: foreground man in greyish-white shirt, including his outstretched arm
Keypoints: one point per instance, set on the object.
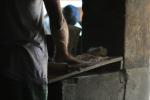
(23, 53)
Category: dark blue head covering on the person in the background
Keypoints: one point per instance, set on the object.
(71, 14)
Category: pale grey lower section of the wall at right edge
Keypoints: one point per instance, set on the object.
(138, 84)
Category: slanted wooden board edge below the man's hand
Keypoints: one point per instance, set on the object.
(54, 78)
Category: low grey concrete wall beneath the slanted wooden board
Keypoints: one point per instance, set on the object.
(100, 87)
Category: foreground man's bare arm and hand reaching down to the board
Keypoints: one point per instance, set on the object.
(60, 31)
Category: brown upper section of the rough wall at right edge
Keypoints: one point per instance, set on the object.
(137, 33)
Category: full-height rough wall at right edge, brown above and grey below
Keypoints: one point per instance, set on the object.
(137, 49)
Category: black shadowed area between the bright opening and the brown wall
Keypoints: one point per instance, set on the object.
(104, 25)
